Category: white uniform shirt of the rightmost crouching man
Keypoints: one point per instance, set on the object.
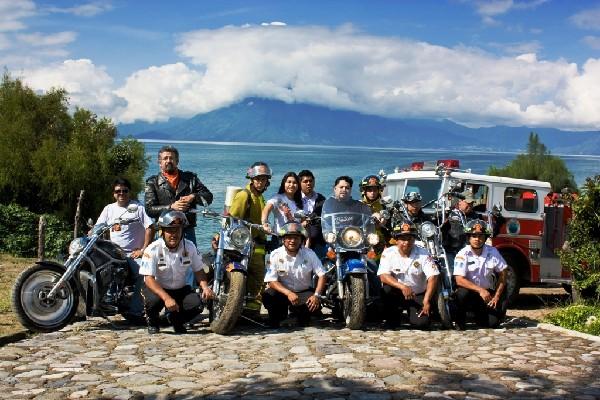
(479, 269)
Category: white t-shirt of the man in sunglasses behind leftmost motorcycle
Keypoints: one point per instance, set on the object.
(131, 236)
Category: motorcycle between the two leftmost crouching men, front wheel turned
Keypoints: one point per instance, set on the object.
(229, 270)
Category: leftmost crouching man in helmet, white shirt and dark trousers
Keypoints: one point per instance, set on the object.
(164, 265)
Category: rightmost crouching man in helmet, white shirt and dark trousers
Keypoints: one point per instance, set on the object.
(474, 269)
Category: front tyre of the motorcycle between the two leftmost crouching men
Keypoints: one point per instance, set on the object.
(226, 311)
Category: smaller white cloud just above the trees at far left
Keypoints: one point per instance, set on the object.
(88, 86)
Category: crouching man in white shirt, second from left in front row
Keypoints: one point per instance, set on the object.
(290, 278)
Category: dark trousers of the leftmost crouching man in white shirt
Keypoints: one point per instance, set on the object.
(188, 301)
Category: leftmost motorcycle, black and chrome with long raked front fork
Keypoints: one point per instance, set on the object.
(46, 296)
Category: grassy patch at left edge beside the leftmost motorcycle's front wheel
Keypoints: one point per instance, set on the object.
(10, 267)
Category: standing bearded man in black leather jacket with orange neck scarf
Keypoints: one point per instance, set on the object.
(174, 189)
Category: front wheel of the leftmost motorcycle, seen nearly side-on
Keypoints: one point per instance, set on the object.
(33, 309)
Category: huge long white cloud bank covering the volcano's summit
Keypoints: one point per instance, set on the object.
(345, 69)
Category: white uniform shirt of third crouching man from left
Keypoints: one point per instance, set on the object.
(412, 271)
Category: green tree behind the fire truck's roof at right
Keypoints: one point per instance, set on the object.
(538, 164)
